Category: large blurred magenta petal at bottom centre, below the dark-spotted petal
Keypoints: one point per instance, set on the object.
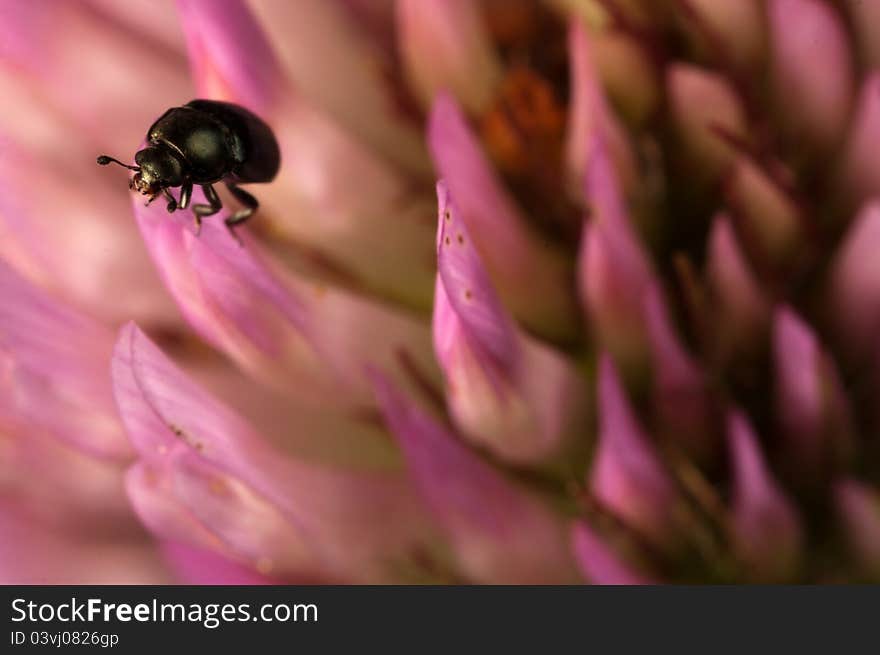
(499, 533)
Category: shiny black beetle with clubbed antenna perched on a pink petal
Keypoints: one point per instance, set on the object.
(204, 142)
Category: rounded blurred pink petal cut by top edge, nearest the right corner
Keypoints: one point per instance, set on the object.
(813, 93)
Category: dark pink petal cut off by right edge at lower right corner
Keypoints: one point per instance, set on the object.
(859, 508)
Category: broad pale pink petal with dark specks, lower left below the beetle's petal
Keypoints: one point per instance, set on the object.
(214, 481)
